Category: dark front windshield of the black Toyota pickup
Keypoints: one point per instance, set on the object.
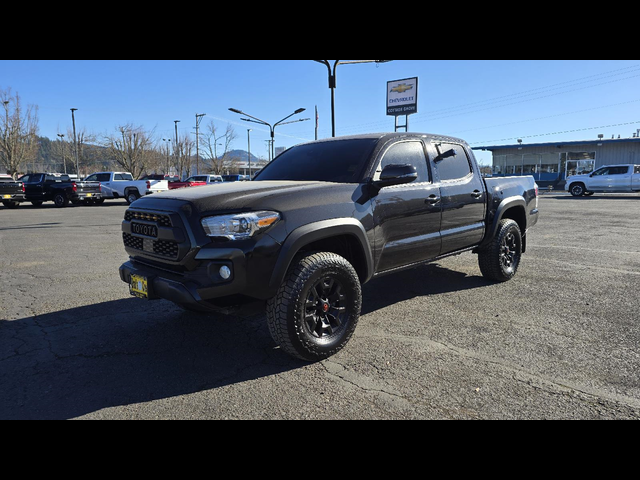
(340, 161)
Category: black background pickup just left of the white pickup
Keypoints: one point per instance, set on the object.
(59, 189)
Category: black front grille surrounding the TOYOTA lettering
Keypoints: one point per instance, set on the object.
(163, 246)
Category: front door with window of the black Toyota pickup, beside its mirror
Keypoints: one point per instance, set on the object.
(407, 217)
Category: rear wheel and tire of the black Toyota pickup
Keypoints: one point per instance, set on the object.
(499, 260)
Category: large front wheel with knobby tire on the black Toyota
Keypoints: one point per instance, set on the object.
(317, 307)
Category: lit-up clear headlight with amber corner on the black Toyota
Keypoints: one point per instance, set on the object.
(239, 226)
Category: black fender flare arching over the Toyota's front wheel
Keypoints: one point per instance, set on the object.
(313, 232)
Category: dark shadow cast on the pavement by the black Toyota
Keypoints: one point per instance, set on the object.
(79, 361)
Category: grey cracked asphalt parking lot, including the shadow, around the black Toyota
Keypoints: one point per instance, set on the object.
(560, 341)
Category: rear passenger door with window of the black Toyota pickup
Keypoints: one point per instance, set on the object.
(463, 196)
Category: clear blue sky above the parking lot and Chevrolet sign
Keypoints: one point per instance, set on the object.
(485, 102)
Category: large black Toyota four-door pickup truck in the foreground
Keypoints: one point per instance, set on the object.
(318, 222)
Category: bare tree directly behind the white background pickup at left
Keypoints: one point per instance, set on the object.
(130, 148)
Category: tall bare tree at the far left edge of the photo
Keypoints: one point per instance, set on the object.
(18, 133)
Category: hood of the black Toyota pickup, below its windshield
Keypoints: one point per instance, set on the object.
(259, 195)
